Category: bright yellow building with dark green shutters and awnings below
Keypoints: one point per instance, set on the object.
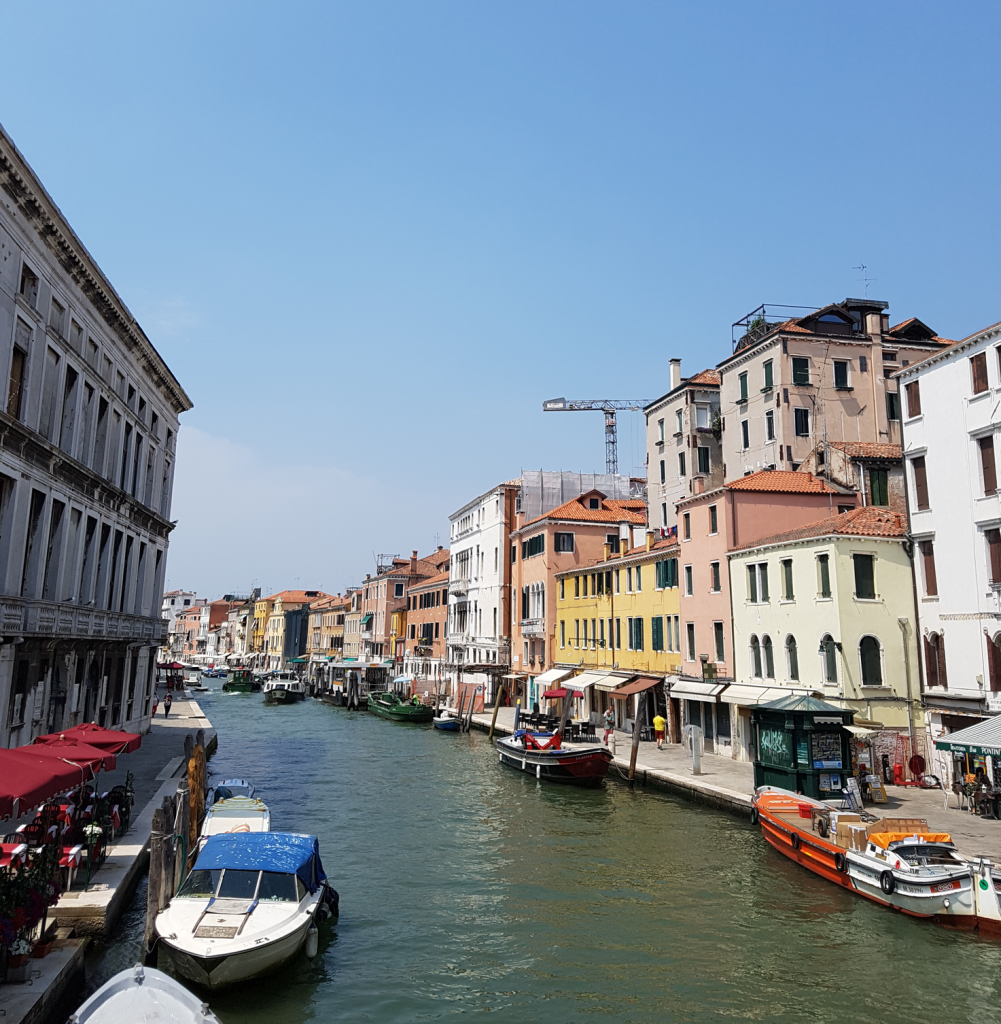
(620, 618)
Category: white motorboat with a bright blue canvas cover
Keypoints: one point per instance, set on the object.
(251, 903)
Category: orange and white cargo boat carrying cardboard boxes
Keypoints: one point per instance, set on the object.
(897, 863)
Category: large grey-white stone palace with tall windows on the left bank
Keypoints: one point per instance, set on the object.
(90, 426)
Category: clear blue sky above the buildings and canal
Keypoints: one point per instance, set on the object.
(370, 239)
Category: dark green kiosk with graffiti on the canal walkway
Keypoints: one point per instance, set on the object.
(803, 746)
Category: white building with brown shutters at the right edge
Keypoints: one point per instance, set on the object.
(951, 418)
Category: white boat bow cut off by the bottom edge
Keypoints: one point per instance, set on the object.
(144, 995)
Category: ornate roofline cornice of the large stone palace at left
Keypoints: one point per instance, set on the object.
(38, 209)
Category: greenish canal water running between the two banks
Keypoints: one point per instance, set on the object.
(467, 888)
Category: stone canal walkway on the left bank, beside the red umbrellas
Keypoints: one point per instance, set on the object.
(80, 915)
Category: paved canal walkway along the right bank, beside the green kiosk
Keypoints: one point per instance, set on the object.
(729, 786)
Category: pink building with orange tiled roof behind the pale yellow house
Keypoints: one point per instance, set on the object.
(710, 525)
